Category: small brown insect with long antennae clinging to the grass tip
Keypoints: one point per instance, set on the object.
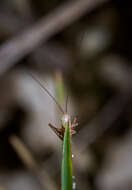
(66, 118)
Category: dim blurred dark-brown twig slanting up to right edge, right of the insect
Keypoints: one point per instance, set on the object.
(103, 121)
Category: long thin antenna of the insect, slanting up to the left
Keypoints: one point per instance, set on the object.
(43, 87)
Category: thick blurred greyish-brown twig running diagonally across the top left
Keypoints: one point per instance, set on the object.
(19, 46)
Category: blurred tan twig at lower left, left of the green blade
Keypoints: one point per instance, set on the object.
(27, 158)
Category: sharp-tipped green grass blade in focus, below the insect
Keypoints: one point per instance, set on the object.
(67, 161)
